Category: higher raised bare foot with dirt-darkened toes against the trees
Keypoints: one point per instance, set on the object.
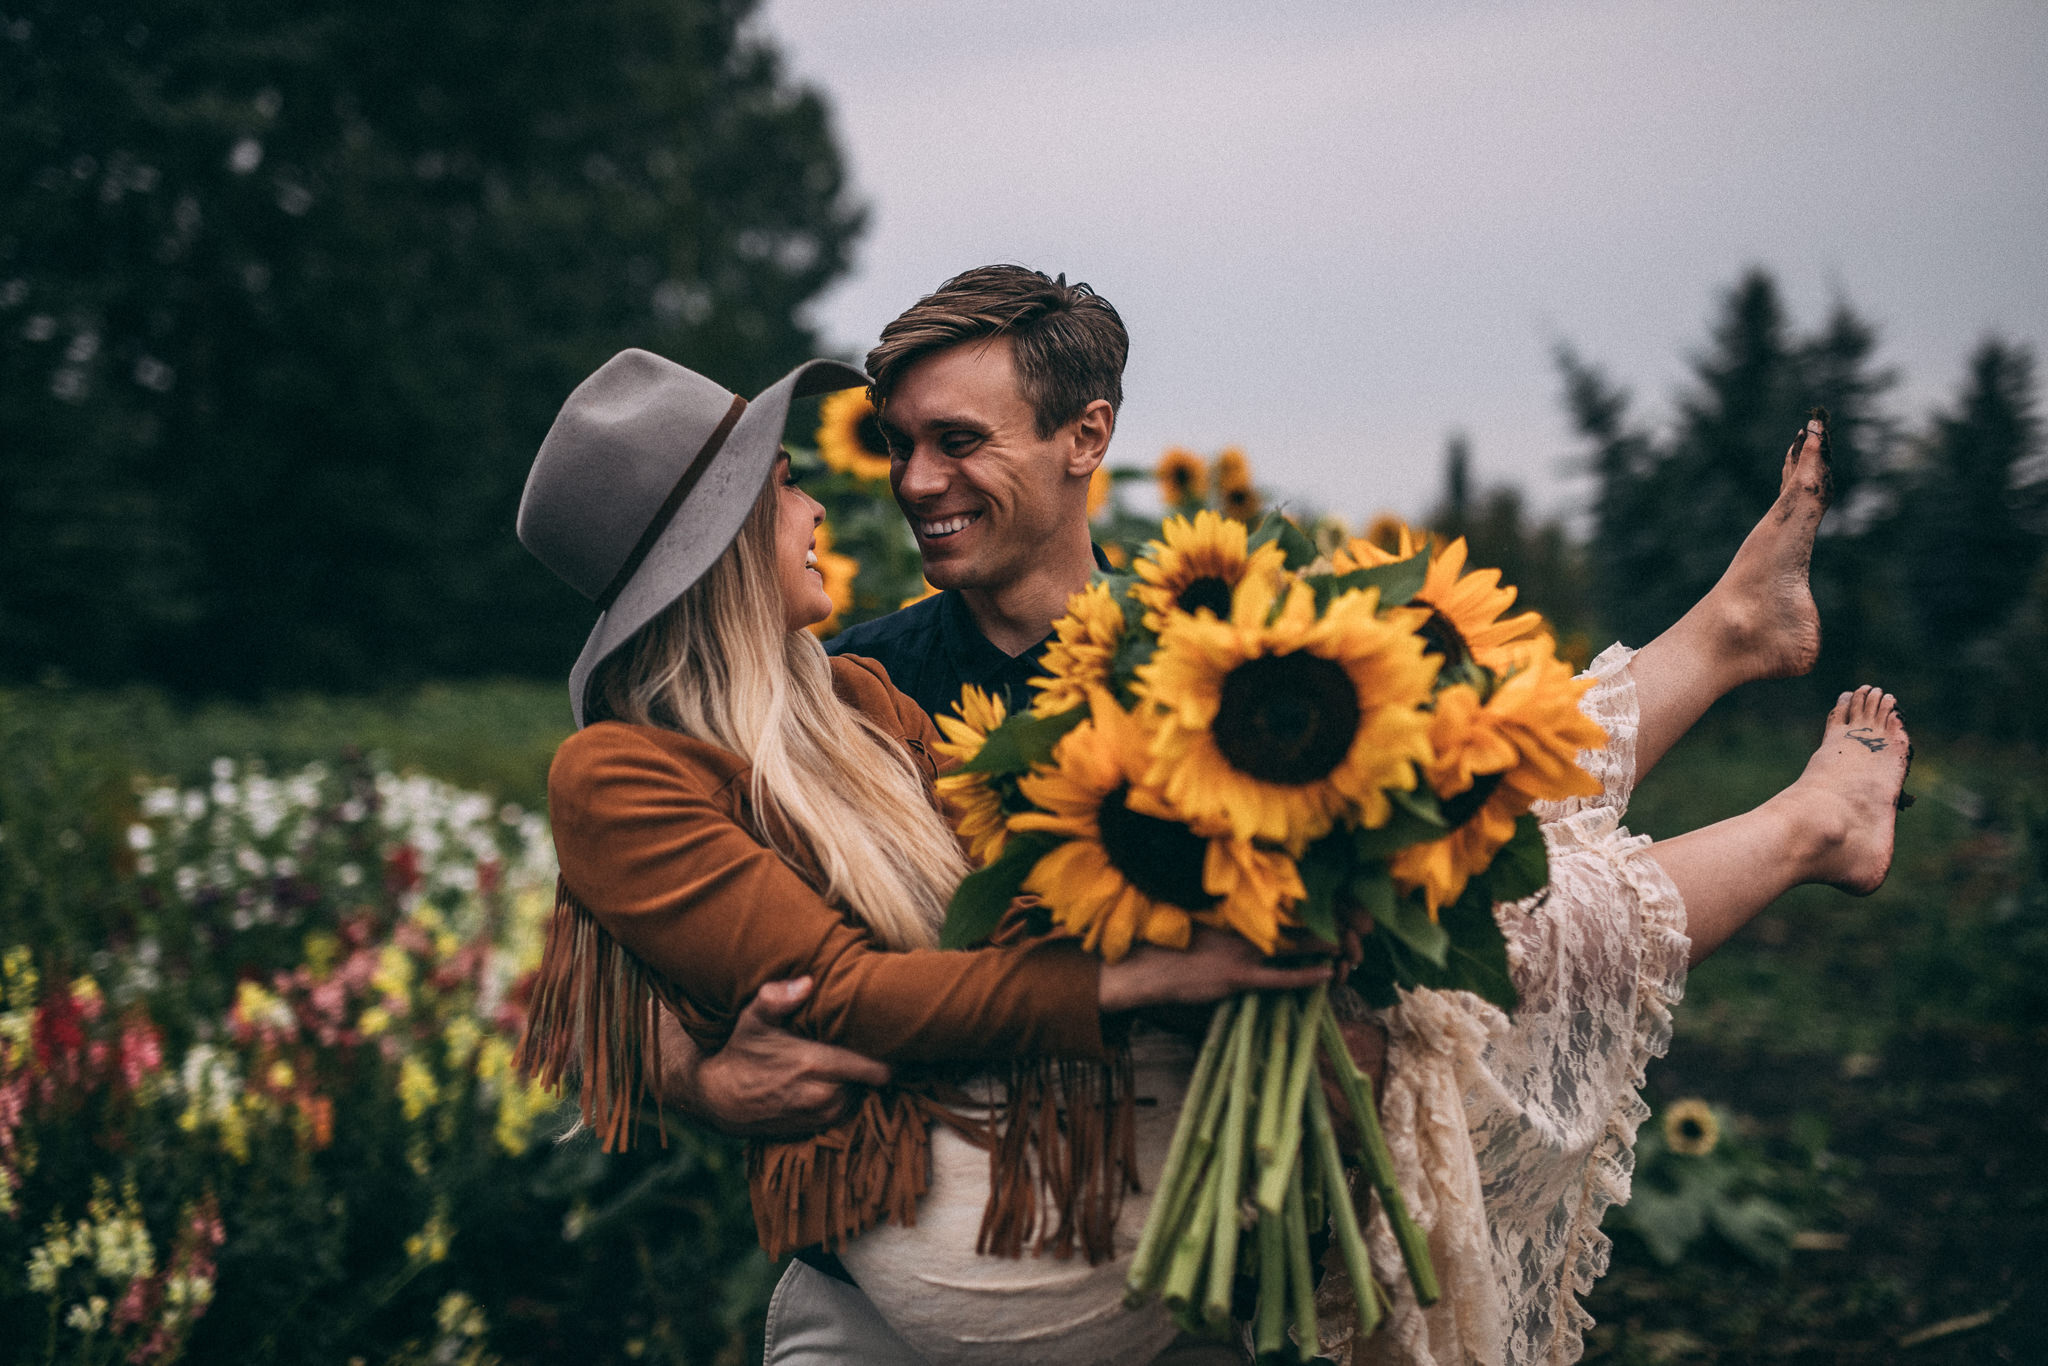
(1764, 603)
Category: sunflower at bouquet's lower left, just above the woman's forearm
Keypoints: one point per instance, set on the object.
(1129, 871)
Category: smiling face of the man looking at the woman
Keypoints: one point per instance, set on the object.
(982, 490)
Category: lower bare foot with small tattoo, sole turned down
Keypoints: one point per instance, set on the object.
(1848, 798)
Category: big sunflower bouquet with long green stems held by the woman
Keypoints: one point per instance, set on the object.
(1295, 749)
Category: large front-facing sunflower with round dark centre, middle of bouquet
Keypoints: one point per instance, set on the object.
(1277, 722)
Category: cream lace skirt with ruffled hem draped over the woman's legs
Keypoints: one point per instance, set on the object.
(1519, 1136)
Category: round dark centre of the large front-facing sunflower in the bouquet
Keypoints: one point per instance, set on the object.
(1287, 718)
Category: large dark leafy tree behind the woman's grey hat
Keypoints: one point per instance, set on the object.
(292, 294)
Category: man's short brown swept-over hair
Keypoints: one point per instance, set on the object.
(1068, 341)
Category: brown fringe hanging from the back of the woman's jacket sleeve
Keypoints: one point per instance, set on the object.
(595, 1015)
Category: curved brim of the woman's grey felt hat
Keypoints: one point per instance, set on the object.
(710, 517)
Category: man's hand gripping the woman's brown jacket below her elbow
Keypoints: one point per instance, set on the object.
(765, 1082)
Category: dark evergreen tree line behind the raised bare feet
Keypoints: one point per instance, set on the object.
(1930, 572)
